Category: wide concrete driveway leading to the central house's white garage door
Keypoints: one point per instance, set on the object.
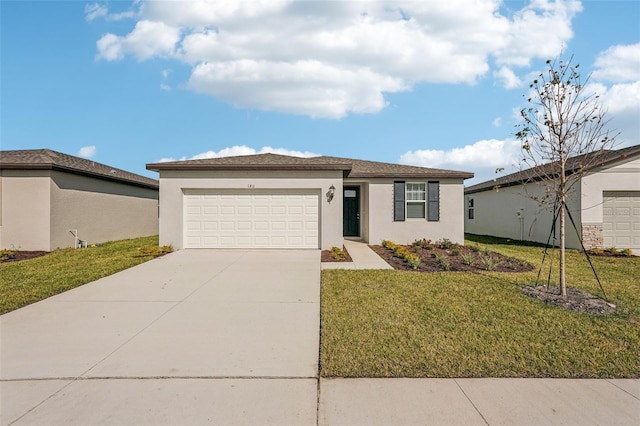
(194, 337)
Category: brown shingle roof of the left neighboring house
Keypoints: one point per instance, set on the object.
(46, 159)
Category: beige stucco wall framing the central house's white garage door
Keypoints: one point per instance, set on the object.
(172, 184)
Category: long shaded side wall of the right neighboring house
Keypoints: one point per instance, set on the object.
(496, 214)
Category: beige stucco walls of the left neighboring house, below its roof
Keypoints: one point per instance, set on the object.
(39, 207)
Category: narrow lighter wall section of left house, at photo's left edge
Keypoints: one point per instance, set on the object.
(25, 207)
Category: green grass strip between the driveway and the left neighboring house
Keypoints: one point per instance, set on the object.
(26, 282)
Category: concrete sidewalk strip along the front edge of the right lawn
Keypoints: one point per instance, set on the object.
(583, 402)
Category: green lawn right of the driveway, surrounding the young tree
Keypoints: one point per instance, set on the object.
(453, 324)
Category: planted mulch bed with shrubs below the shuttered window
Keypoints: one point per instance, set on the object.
(429, 263)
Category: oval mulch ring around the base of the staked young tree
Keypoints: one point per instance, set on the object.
(576, 300)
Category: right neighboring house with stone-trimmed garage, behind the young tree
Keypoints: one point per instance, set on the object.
(605, 205)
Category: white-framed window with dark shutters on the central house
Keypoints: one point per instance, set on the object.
(416, 200)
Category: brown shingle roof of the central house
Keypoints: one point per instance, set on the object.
(350, 167)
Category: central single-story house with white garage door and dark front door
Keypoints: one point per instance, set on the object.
(277, 201)
